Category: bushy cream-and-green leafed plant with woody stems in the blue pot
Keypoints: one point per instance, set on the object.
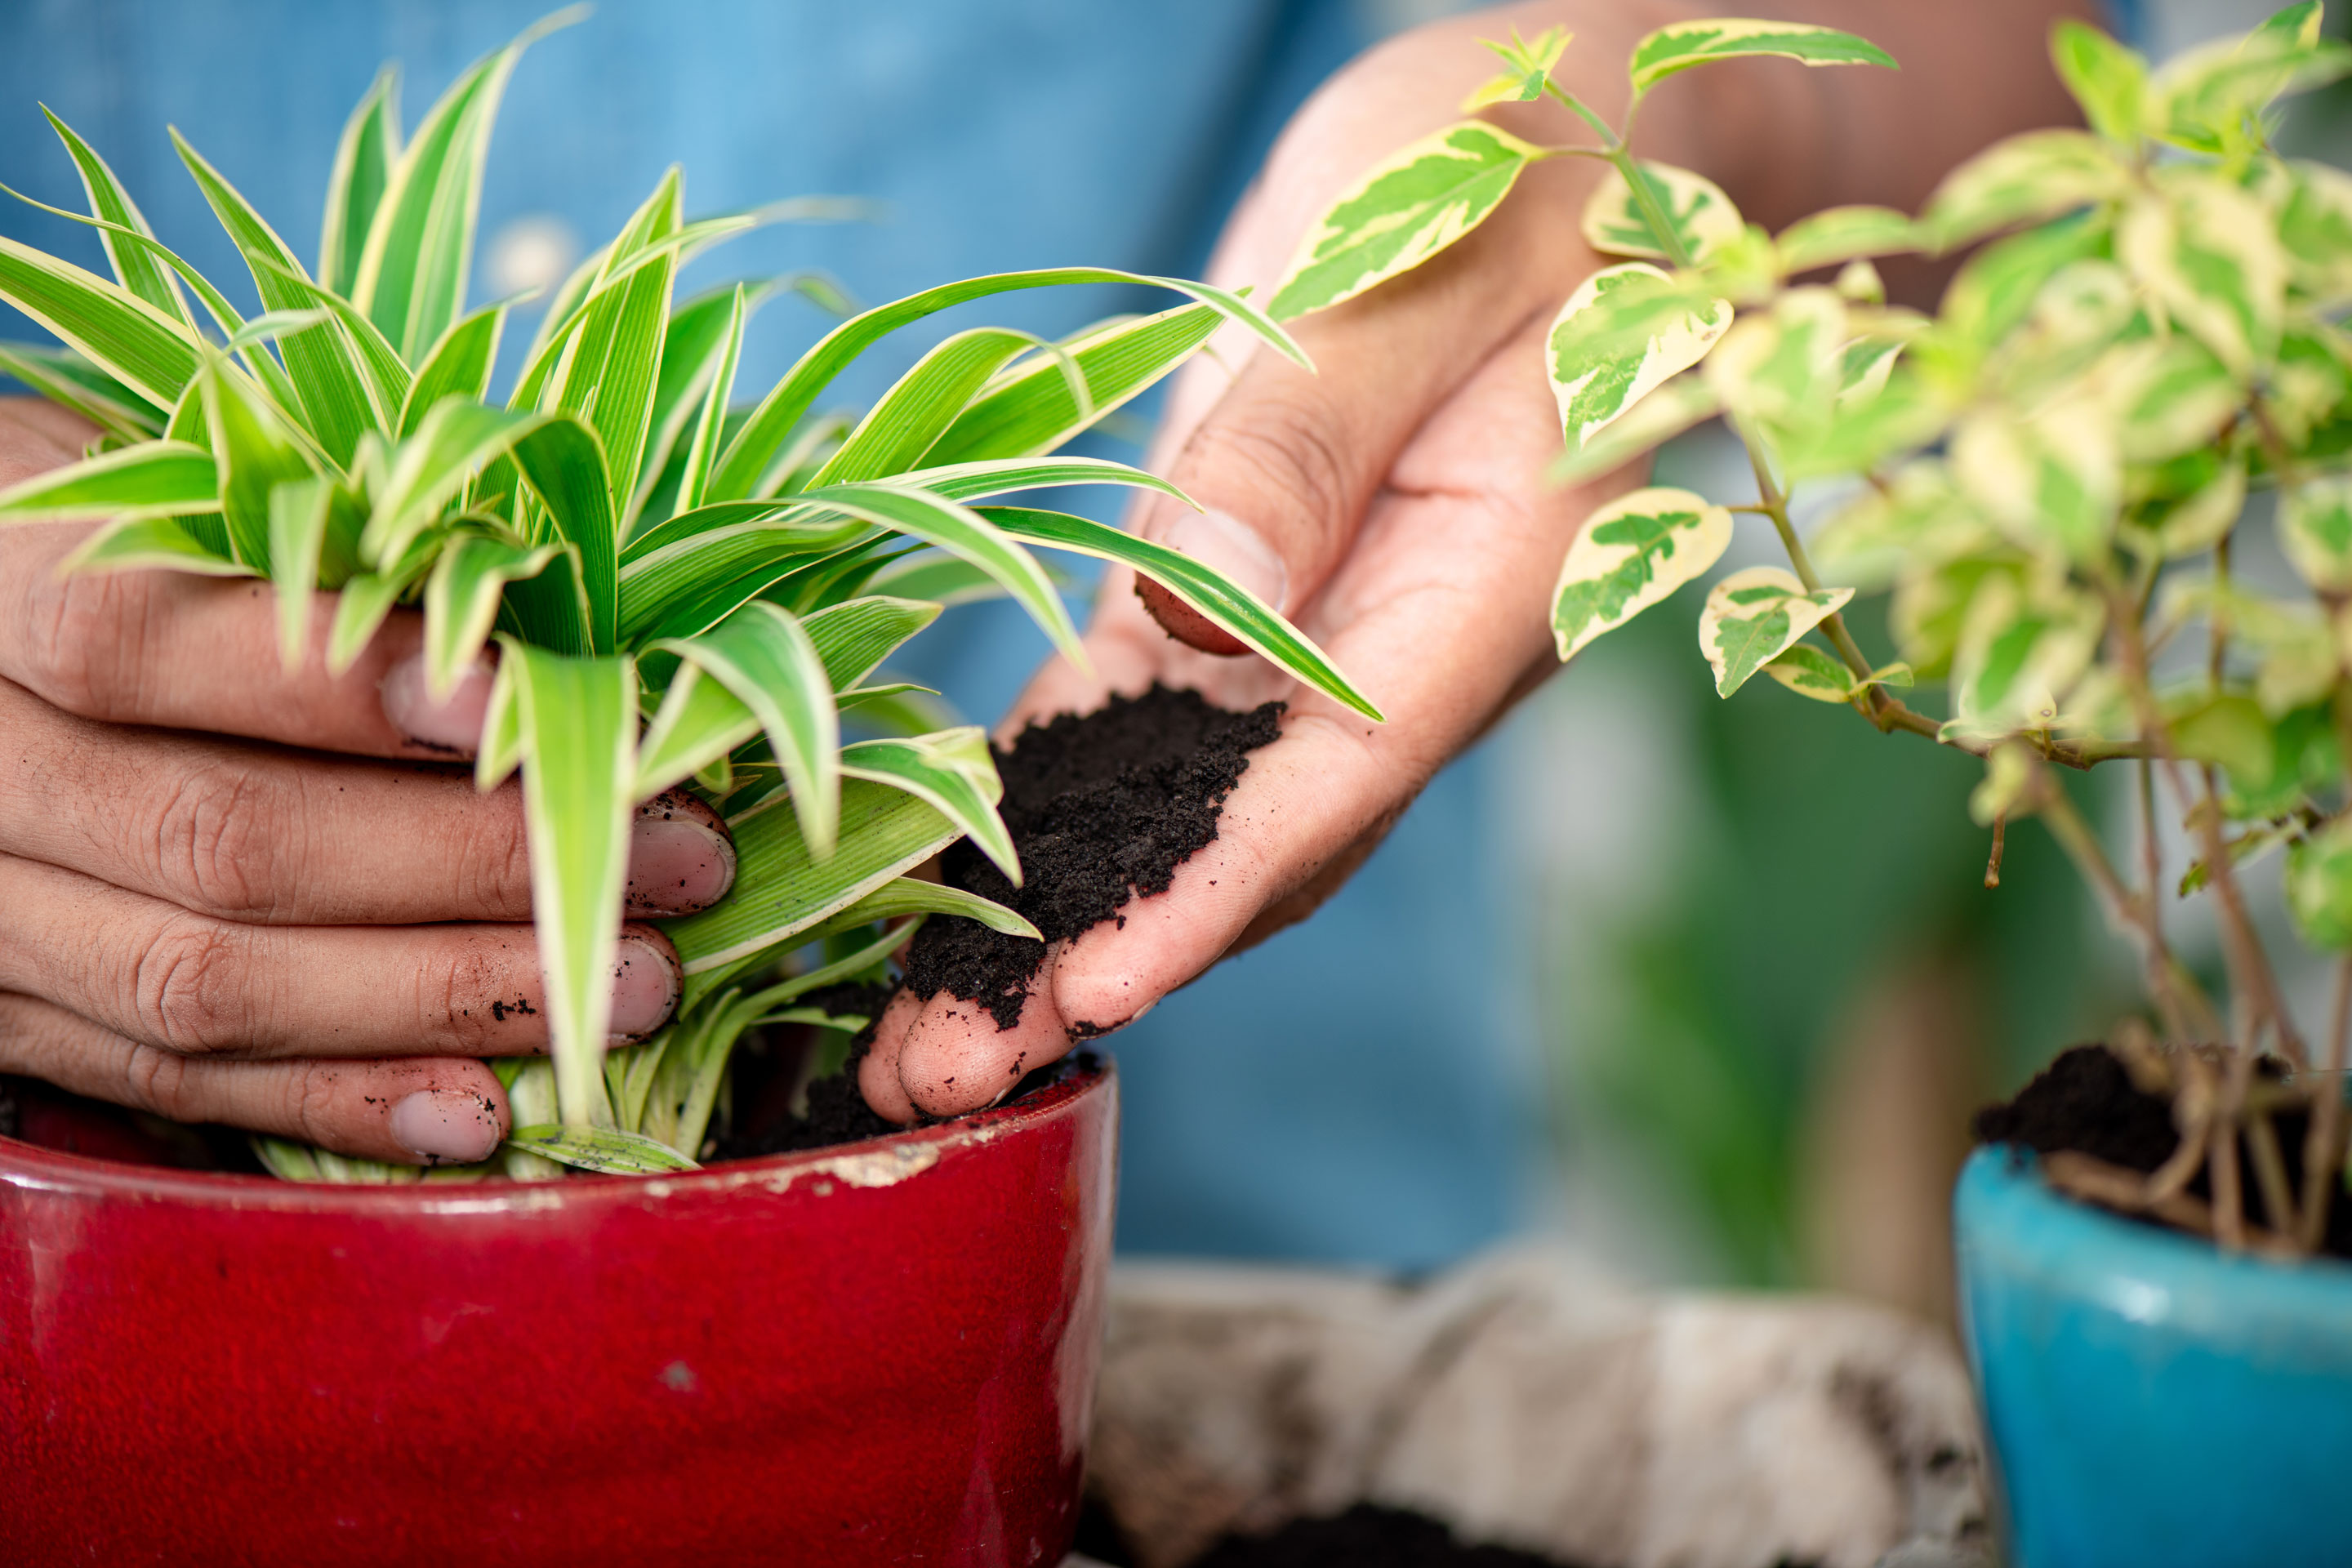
(2134, 382)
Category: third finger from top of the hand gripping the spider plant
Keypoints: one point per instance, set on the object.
(206, 986)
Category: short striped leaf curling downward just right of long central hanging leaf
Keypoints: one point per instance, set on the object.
(768, 662)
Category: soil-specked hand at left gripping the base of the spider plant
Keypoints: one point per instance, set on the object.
(203, 923)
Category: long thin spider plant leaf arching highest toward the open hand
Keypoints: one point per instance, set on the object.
(749, 462)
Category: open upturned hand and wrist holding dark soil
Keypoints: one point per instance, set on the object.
(1394, 504)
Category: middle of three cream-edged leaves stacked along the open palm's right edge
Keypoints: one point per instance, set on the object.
(1622, 335)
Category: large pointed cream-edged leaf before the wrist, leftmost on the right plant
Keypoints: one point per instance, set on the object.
(1412, 206)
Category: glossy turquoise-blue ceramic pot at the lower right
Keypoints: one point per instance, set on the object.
(2153, 1402)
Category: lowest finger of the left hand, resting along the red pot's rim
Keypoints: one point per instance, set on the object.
(420, 1111)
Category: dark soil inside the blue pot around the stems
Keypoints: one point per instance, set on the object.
(2087, 1101)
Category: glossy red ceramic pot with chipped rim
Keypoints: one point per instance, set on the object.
(864, 1355)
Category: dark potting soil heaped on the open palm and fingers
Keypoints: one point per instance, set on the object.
(1104, 810)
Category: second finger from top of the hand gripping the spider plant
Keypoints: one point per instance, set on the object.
(267, 836)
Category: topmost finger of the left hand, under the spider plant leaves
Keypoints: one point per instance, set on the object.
(192, 652)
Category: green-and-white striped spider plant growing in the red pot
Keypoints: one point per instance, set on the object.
(679, 591)
